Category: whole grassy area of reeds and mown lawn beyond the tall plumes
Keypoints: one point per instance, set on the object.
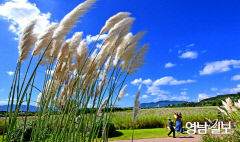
(152, 123)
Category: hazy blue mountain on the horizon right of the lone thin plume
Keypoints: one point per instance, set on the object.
(160, 104)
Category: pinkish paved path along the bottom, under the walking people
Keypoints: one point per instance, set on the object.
(194, 138)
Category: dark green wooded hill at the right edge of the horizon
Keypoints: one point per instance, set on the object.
(213, 101)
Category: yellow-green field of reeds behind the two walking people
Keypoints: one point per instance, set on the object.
(157, 117)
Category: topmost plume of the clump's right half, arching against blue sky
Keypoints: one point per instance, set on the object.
(113, 20)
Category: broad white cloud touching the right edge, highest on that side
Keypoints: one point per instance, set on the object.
(220, 66)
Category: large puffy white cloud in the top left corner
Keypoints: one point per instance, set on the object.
(20, 12)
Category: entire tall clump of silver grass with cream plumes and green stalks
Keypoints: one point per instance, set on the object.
(70, 97)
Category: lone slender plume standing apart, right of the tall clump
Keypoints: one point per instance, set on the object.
(136, 109)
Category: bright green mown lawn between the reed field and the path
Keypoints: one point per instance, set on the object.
(141, 134)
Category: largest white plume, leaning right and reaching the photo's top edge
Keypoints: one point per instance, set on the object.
(67, 23)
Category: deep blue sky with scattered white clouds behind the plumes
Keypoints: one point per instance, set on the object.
(194, 45)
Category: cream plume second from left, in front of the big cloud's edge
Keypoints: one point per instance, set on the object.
(44, 39)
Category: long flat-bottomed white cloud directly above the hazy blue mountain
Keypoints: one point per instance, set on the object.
(169, 80)
